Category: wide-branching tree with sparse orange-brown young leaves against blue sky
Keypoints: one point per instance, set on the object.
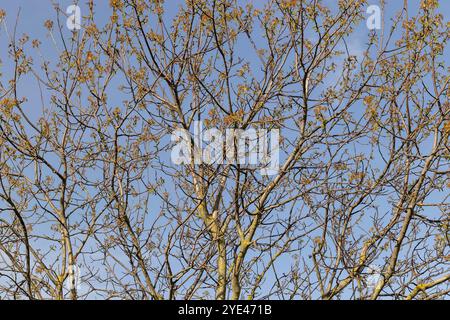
(89, 194)
